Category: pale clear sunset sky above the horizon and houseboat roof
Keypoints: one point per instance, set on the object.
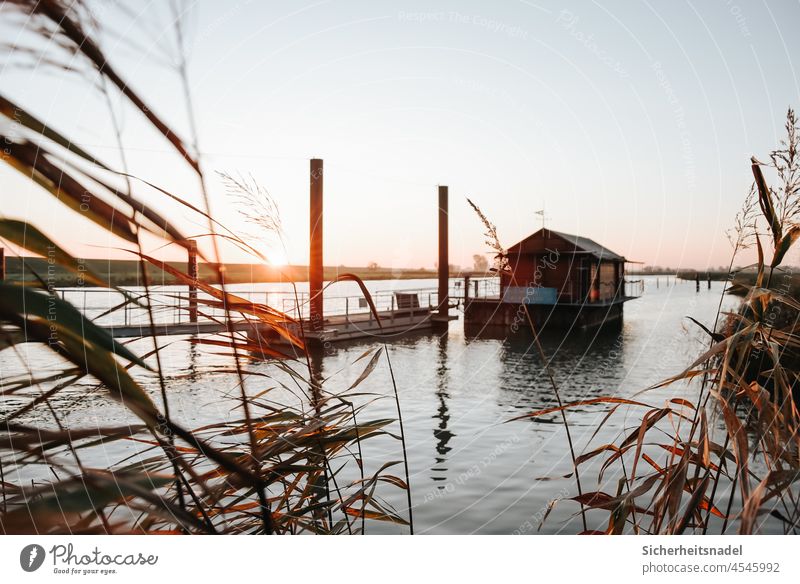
(631, 123)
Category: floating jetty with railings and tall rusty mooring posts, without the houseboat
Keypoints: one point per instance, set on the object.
(320, 317)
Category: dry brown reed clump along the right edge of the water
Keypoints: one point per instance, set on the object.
(726, 457)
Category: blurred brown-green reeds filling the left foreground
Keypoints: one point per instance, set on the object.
(277, 466)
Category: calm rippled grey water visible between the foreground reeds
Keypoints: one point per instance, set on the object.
(471, 472)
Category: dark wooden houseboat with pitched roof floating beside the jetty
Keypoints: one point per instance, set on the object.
(560, 279)
